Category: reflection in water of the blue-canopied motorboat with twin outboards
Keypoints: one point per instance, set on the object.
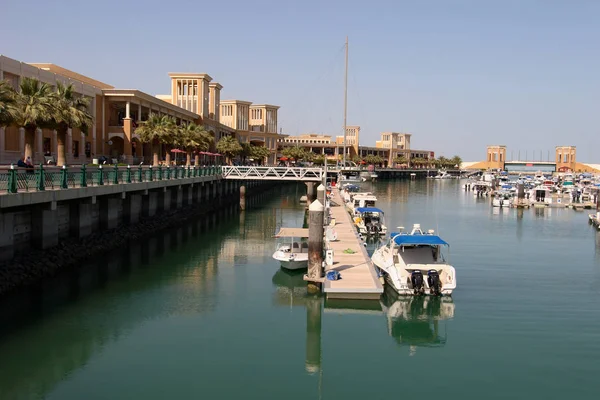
(415, 320)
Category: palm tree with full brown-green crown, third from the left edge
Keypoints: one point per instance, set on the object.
(70, 111)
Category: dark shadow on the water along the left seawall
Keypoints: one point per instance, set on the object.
(50, 330)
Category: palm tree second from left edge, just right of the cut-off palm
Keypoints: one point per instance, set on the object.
(34, 110)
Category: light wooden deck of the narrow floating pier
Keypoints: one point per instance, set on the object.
(357, 272)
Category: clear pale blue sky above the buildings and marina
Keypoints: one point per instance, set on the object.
(457, 74)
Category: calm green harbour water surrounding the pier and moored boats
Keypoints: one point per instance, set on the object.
(204, 312)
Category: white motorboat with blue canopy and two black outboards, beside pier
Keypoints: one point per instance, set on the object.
(413, 263)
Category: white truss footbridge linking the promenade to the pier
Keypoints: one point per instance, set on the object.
(273, 173)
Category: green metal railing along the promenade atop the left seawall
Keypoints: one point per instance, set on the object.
(15, 180)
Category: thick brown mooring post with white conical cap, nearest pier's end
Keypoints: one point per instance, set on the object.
(315, 244)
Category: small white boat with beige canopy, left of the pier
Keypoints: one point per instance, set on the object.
(292, 250)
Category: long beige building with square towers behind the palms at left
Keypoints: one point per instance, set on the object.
(117, 113)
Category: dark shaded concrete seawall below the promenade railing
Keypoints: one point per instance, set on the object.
(43, 232)
